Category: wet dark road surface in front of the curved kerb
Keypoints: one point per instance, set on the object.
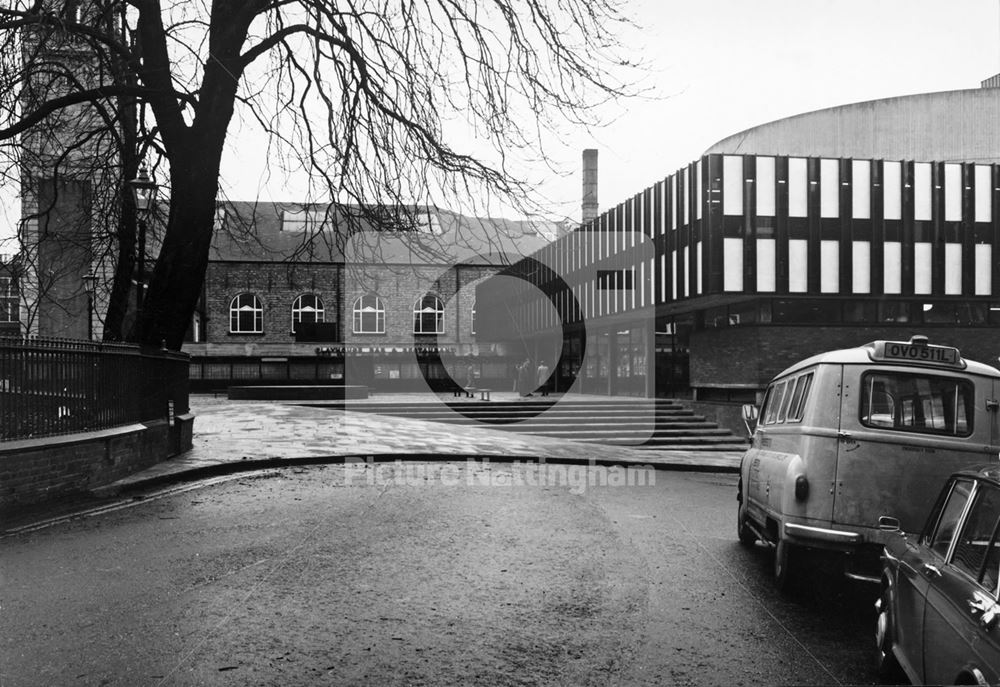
(454, 574)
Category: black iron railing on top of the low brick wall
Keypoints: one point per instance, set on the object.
(58, 386)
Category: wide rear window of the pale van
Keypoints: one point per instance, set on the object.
(915, 402)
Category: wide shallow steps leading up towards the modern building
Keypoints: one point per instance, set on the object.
(640, 423)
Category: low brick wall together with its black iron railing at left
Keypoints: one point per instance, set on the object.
(78, 414)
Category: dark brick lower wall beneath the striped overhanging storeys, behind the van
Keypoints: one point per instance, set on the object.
(753, 355)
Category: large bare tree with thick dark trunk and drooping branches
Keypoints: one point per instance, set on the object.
(362, 95)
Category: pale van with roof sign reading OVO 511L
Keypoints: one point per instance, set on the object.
(847, 437)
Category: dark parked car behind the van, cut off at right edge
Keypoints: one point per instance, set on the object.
(937, 614)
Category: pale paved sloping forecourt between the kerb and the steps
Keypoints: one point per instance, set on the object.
(232, 435)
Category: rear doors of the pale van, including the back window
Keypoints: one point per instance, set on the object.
(903, 431)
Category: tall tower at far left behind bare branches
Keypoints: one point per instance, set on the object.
(66, 161)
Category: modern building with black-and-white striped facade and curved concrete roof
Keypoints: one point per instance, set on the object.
(821, 231)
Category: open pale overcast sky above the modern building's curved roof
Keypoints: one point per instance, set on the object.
(721, 66)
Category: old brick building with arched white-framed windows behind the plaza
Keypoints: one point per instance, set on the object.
(292, 295)
